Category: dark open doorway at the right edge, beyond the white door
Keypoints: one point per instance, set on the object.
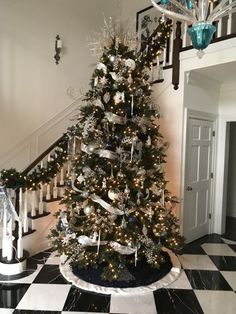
(230, 225)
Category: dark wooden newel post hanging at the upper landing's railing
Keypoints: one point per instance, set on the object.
(176, 50)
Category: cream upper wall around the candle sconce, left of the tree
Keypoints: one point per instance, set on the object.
(33, 89)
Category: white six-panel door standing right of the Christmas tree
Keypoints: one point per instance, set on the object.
(198, 177)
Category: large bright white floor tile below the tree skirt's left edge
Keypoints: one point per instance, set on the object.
(44, 297)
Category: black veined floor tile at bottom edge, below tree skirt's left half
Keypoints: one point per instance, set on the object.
(82, 301)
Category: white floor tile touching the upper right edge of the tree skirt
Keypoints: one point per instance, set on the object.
(191, 261)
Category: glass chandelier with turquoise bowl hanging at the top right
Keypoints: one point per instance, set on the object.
(196, 13)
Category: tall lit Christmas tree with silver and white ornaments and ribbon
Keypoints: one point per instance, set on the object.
(118, 209)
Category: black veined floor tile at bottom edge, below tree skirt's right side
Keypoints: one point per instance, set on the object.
(172, 301)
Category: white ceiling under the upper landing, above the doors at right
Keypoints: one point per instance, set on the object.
(223, 73)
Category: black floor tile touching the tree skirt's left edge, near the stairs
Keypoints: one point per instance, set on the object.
(50, 274)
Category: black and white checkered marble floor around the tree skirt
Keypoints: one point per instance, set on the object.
(206, 285)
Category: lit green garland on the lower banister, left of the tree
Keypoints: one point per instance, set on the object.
(14, 179)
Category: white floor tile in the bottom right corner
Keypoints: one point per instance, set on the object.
(216, 302)
